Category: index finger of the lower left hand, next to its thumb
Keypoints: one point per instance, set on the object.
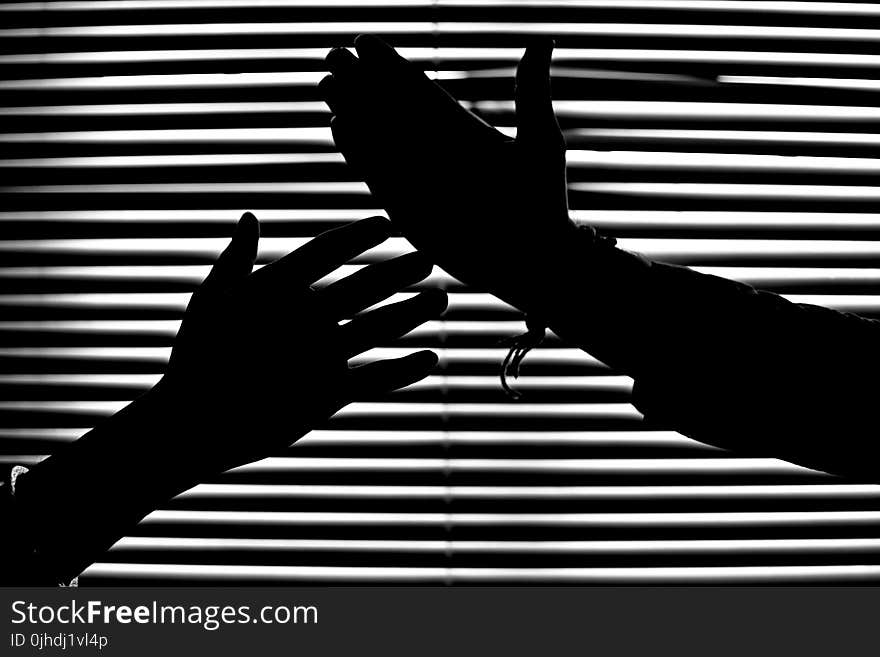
(325, 253)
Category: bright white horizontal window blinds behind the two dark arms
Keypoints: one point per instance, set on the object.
(736, 137)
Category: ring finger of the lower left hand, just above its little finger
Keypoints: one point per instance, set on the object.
(383, 325)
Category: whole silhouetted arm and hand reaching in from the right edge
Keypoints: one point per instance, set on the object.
(717, 360)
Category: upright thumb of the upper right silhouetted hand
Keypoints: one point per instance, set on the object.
(535, 121)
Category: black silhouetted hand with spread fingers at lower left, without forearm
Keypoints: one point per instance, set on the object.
(261, 358)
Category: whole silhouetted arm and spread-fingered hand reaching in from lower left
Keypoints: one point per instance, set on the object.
(260, 360)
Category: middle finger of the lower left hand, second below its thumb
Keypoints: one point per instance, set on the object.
(373, 283)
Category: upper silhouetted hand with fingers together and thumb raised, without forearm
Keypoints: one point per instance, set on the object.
(489, 209)
